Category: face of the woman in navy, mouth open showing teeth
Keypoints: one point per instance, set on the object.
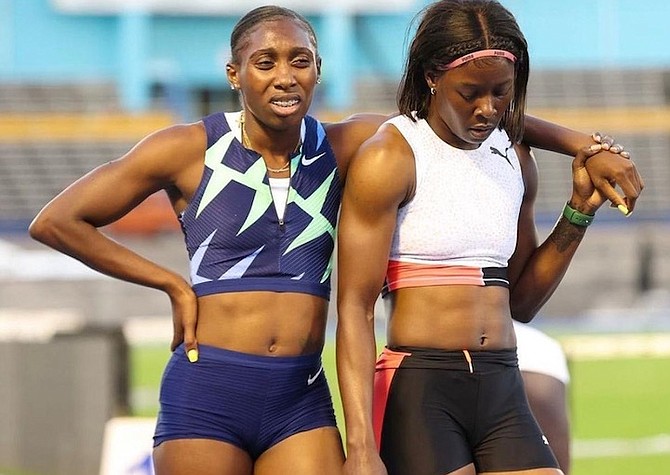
(276, 73)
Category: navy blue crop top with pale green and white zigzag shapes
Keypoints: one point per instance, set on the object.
(235, 240)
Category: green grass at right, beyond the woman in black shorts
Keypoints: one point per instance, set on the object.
(620, 399)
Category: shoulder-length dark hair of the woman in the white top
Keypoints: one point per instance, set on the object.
(449, 29)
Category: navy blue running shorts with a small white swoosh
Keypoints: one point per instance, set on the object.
(250, 401)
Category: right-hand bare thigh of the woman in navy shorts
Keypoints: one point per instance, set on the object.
(316, 451)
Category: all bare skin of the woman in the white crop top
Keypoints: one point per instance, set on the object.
(463, 112)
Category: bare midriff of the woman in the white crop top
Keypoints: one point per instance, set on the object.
(457, 317)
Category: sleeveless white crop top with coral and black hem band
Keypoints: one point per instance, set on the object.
(461, 225)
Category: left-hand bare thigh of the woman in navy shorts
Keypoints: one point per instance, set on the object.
(201, 457)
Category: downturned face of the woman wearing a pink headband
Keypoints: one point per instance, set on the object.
(470, 101)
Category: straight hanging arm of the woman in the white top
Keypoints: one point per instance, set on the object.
(376, 185)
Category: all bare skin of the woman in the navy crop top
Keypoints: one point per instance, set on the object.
(276, 74)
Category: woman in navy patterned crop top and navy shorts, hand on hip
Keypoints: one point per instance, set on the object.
(257, 193)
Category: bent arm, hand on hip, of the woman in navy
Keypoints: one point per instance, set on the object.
(70, 222)
